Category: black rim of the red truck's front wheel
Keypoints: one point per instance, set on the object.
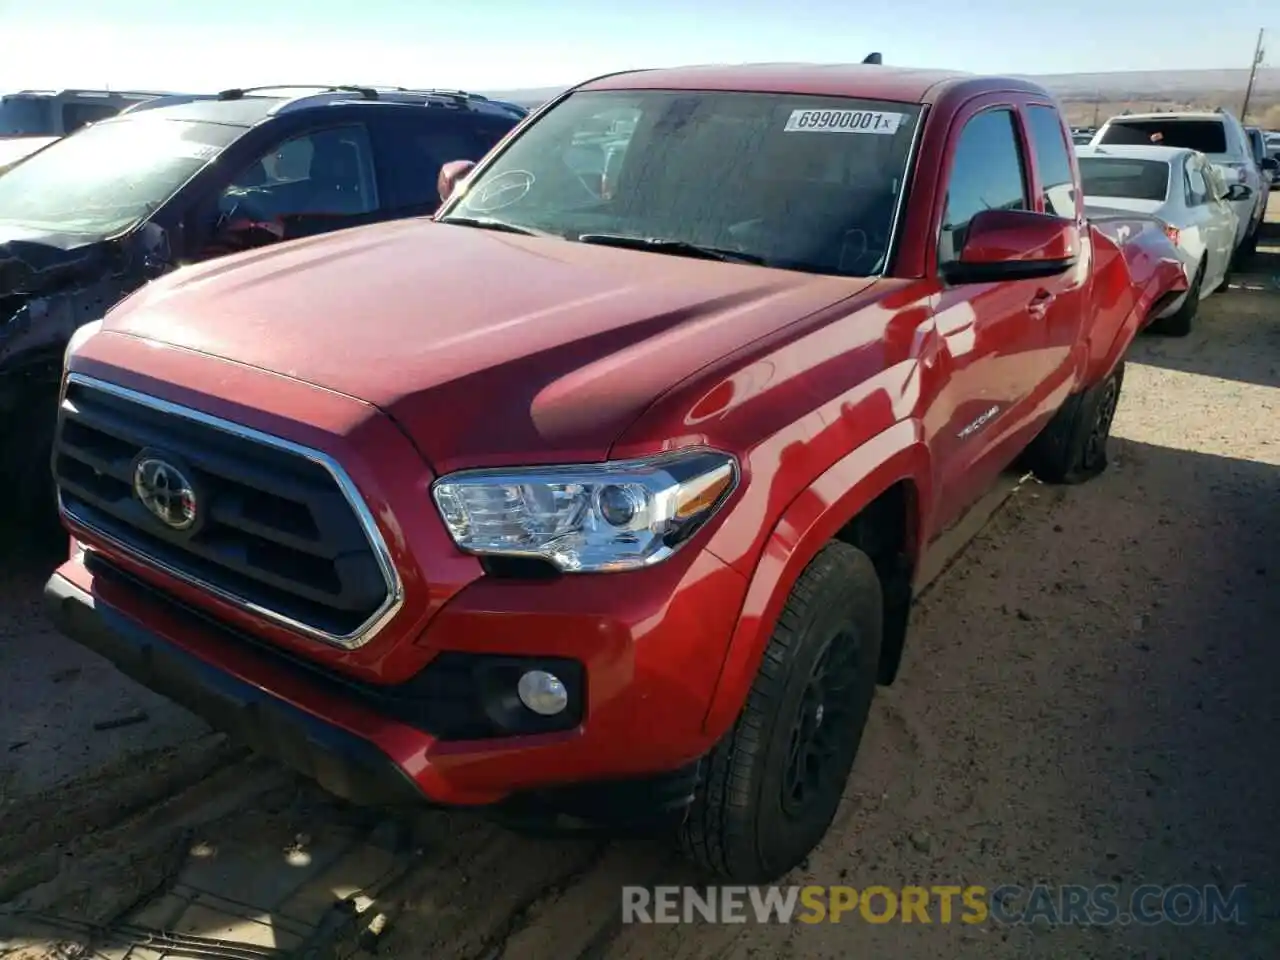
(821, 729)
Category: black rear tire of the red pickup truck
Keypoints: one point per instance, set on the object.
(1073, 449)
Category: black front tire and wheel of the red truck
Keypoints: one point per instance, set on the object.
(749, 822)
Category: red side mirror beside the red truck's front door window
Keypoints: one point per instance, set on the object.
(1014, 245)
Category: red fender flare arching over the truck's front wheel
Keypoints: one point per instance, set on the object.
(808, 523)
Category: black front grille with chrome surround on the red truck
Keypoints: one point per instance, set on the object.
(280, 529)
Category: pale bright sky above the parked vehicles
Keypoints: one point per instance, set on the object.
(482, 45)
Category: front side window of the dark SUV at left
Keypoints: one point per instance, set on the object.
(323, 176)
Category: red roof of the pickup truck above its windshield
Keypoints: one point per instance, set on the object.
(871, 81)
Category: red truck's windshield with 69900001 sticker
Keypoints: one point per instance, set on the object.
(793, 182)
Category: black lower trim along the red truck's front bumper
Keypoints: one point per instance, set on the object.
(342, 764)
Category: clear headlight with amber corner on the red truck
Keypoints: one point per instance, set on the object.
(587, 519)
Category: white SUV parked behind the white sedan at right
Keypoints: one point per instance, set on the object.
(1222, 139)
